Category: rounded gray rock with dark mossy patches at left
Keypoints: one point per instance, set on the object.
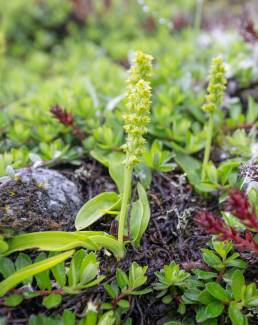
(38, 199)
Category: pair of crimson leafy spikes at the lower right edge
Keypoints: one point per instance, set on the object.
(238, 204)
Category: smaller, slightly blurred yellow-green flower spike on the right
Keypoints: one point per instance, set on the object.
(216, 87)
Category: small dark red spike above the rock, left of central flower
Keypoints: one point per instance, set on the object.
(67, 119)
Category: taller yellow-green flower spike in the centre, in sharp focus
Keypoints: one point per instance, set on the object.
(138, 101)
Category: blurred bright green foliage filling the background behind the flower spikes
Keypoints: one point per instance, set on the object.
(75, 53)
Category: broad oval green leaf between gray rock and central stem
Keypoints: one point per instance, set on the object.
(95, 208)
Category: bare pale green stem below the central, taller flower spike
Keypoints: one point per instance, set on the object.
(124, 208)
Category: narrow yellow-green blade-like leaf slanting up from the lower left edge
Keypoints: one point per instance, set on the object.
(31, 270)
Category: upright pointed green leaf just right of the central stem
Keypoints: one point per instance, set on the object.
(140, 216)
